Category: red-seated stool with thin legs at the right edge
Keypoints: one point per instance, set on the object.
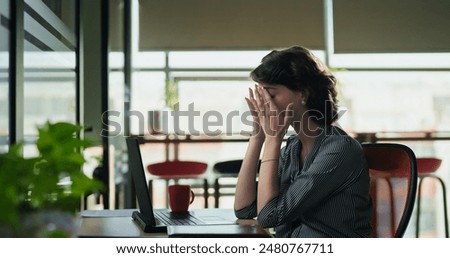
(426, 168)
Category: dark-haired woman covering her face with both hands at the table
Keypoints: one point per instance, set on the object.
(318, 184)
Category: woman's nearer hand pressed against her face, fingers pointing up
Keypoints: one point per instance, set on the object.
(272, 120)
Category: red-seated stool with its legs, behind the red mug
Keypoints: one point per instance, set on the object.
(176, 170)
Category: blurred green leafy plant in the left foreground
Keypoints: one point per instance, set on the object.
(40, 195)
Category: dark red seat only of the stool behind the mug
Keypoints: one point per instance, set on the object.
(177, 168)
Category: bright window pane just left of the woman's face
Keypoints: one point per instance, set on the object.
(227, 116)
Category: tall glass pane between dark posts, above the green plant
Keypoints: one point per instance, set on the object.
(49, 64)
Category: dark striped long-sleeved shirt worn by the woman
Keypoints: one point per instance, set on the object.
(327, 197)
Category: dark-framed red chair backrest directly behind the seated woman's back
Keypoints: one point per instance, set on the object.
(393, 172)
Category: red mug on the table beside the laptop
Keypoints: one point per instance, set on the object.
(180, 197)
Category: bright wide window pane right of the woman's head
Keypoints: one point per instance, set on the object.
(378, 101)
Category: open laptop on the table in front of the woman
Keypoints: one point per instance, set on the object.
(156, 221)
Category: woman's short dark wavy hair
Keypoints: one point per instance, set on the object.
(299, 70)
